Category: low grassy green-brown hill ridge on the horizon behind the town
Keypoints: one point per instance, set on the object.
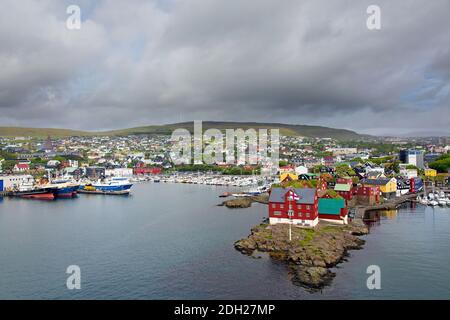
(285, 129)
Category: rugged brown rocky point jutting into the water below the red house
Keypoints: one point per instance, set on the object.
(311, 252)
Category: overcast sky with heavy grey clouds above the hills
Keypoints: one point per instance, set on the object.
(139, 62)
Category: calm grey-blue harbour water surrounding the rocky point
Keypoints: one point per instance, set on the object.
(171, 241)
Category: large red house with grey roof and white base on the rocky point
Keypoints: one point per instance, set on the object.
(298, 206)
